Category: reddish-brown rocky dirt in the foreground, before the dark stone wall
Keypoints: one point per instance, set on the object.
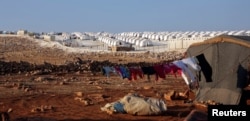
(59, 100)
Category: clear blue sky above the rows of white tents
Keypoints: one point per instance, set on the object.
(124, 15)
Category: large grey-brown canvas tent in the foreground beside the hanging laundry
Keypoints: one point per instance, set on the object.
(225, 66)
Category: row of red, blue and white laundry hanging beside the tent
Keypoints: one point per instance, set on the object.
(187, 68)
